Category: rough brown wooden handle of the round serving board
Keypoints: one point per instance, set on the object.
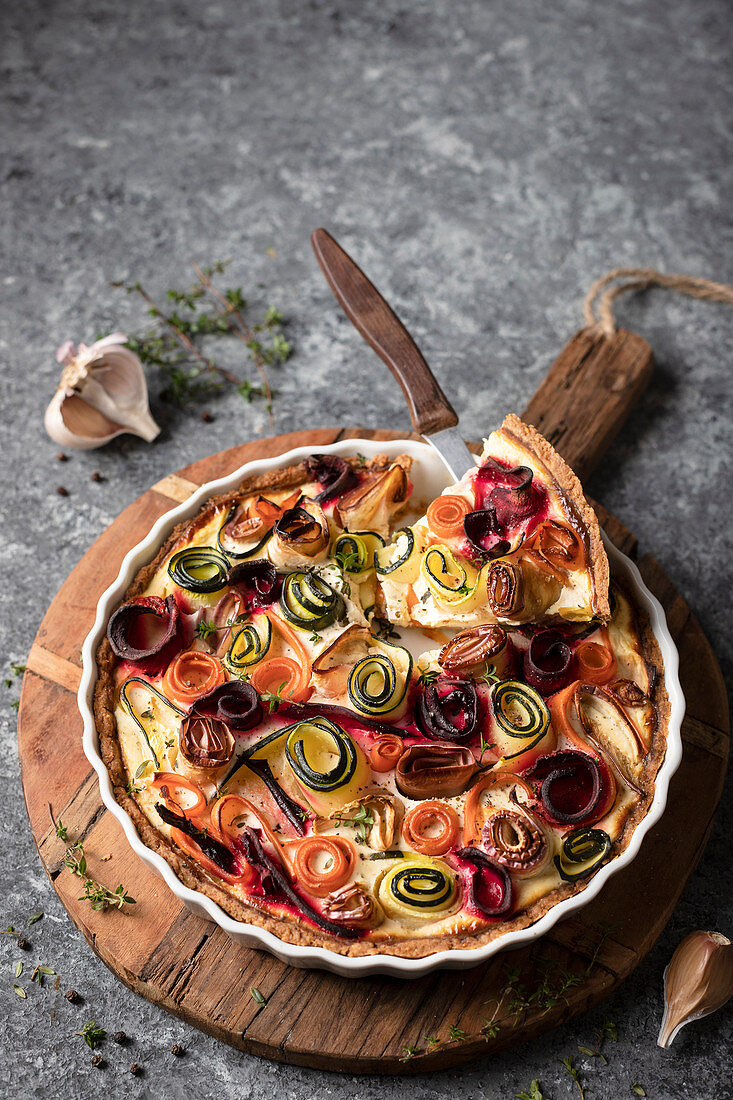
(588, 393)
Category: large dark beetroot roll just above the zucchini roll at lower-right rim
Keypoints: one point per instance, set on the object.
(570, 786)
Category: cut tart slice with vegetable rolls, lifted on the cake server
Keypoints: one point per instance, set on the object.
(513, 542)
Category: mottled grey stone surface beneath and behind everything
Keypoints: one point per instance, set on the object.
(485, 162)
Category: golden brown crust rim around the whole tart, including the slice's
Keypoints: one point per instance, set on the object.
(192, 876)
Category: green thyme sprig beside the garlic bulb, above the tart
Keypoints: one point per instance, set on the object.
(202, 311)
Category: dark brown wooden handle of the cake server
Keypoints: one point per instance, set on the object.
(430, 409)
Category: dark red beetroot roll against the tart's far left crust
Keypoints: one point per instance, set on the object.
(147, 632)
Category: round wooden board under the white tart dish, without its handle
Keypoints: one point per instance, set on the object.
(311, 1018)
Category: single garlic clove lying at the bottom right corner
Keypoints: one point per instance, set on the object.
(699, 981)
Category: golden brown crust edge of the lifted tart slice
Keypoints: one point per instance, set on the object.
(517, 431)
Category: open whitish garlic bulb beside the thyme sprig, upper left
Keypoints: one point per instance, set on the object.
(103, 394)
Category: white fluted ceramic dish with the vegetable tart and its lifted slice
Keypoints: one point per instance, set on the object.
(375, 722)
